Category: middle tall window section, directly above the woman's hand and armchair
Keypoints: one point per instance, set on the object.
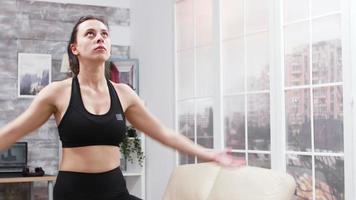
(245, 79)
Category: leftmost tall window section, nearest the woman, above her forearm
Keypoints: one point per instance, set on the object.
(196, 93)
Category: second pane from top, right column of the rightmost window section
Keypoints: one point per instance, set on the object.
(326, 52)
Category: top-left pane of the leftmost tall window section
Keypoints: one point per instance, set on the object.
(184, 24)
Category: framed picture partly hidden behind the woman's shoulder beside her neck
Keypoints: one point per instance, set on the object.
(126, 72)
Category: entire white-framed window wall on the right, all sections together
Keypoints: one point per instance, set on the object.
(224, 65)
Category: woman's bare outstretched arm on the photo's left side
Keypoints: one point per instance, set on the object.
(37, 114)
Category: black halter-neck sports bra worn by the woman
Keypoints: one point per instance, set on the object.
(79, 127)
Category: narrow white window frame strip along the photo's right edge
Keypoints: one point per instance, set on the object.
(349, 20)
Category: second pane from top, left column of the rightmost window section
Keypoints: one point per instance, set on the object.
(296, 54)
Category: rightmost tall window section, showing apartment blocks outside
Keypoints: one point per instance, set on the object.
(314, 97)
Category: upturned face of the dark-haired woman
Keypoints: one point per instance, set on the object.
(93, 41)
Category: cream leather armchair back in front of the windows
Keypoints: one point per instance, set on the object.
(207, 181)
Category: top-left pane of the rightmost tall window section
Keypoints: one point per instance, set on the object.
(295, 10)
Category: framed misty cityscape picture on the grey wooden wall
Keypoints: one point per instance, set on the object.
(34, 73)
